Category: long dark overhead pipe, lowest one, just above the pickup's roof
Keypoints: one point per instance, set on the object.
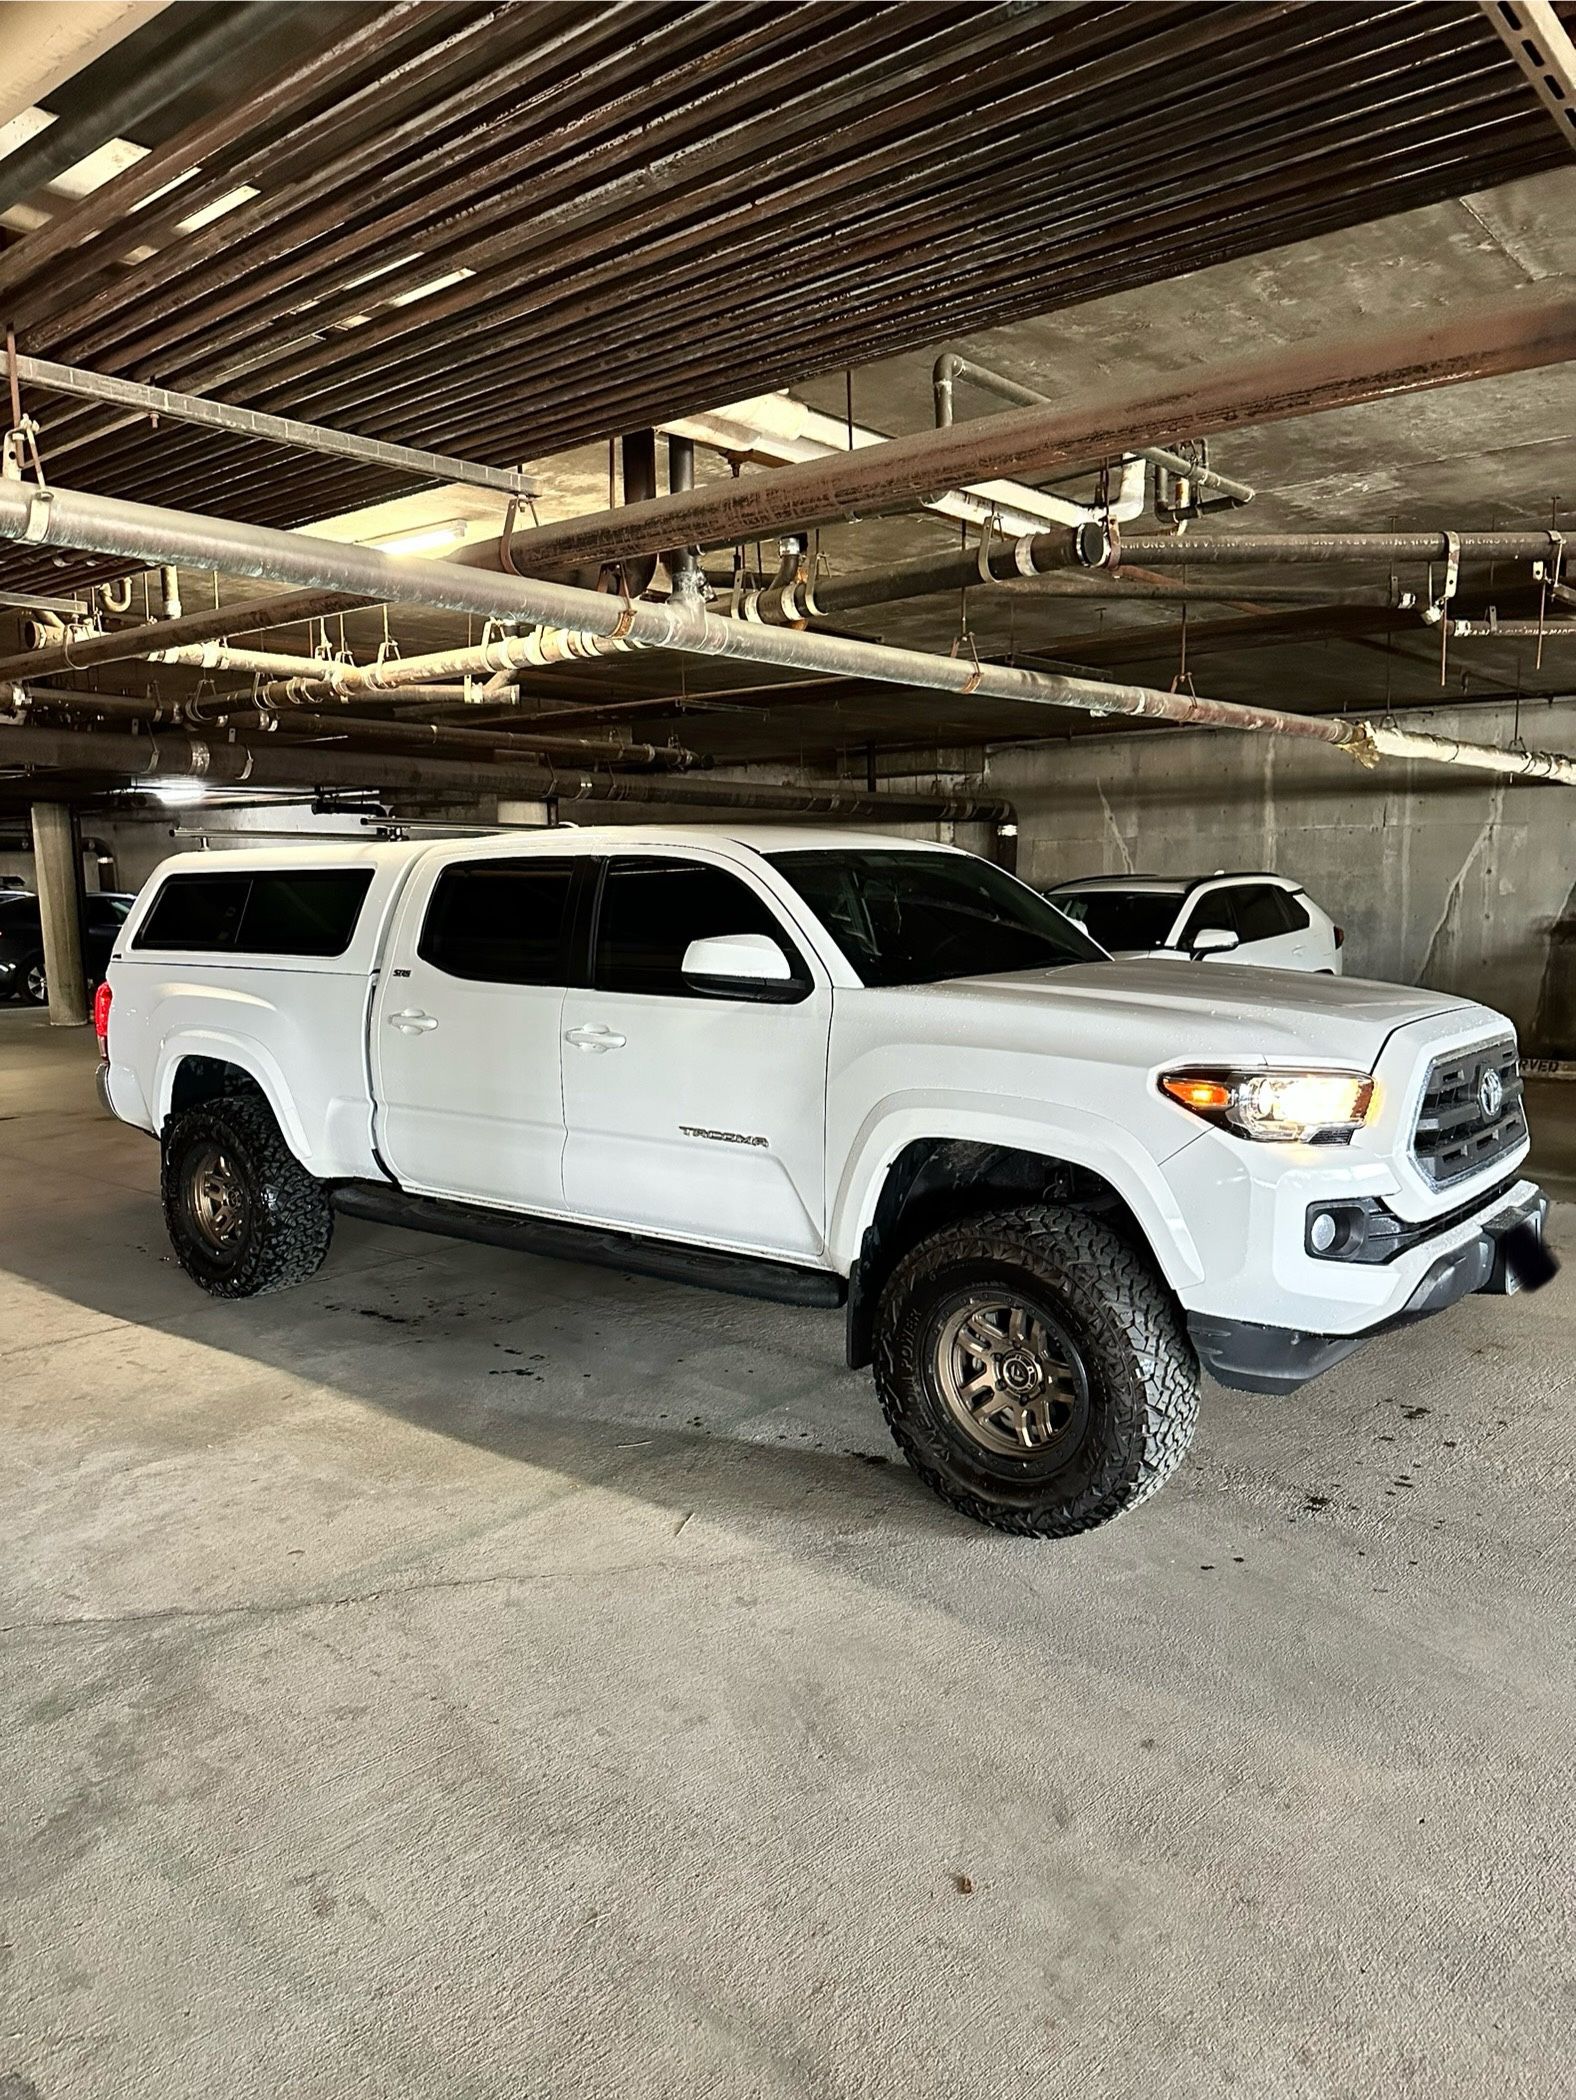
(287, 765)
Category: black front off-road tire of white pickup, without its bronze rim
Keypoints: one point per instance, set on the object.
(1140, 1372)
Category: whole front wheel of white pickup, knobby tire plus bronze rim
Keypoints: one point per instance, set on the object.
(1035, 1370)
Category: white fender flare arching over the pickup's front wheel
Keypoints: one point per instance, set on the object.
(1050, 1131)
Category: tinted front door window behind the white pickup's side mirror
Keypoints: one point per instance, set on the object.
(652, 910)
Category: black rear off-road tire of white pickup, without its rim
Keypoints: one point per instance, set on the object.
(287, 1219)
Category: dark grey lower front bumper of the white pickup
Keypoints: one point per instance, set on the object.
(1253, 1358)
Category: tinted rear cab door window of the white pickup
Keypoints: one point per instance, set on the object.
(503, 923)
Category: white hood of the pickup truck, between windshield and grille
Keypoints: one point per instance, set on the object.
(1205, 1011)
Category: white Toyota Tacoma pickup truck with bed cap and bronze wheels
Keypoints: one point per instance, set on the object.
(827, 1070)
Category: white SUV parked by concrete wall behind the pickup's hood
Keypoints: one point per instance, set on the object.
(1230, 919)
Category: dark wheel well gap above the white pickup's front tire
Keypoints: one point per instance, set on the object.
(940, 1181)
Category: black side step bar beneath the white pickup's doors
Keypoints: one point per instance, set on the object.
(747, 1276)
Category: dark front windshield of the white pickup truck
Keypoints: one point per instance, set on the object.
(915, 919)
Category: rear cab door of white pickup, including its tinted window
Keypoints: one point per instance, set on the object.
(465, 1030)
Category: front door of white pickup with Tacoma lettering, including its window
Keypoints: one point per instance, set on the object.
(688, 1114)
